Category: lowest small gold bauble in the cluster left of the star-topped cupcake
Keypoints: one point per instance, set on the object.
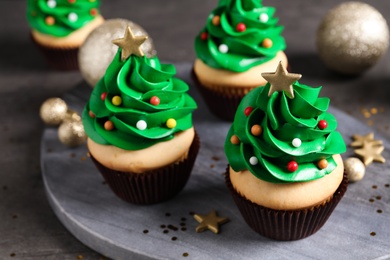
(71, 133)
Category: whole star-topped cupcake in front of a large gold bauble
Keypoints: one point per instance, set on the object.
(139, 126)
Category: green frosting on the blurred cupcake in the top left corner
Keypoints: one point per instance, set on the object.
(60, 17)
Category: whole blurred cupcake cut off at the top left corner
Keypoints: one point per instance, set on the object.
(59, 27)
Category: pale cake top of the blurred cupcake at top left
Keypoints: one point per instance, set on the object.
(75, 39)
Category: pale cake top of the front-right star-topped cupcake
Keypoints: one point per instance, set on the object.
(290, 196)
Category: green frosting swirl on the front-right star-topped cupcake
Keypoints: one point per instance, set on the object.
(283, 119)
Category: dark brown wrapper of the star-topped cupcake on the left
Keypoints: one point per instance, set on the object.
(153, 186)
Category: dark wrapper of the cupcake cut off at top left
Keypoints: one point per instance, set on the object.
(65, 58)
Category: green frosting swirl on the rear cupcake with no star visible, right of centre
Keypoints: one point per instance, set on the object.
(245, 49)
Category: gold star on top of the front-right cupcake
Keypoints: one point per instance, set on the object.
(281, 80)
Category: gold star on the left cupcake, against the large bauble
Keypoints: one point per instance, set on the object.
(130, 44)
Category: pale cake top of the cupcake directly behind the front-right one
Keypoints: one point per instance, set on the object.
(211, 78)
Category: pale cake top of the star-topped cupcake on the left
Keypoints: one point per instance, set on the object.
(139, 161)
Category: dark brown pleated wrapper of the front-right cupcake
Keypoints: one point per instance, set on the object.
(286, 224)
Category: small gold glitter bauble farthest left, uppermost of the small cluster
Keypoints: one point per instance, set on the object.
(53, 111)
